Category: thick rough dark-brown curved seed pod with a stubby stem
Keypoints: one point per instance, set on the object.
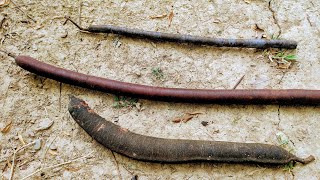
(146, 148)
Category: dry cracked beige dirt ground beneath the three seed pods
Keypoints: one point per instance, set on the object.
(34, 109)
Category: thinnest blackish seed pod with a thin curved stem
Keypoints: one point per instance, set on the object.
(219, 42)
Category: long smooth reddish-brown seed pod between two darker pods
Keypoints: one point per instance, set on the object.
(250, 96)
